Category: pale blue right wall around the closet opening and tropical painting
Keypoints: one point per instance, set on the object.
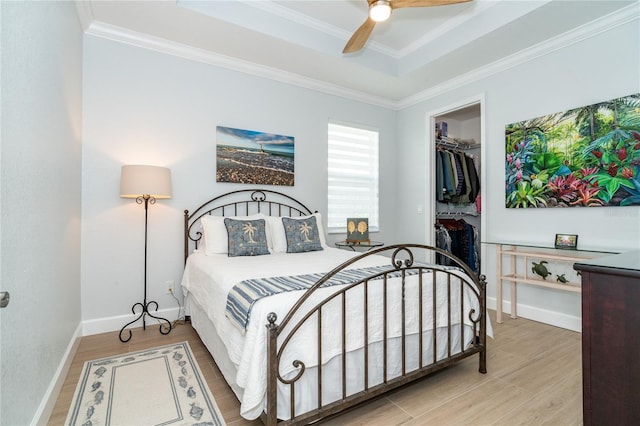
(601, 67)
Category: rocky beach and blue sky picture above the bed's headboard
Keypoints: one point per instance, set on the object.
(251, 157)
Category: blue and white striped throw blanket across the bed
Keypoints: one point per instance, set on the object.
(245, 294)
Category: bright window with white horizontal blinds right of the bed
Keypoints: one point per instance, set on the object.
(353, 176)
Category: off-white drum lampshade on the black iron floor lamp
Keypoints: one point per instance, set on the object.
(139, 180)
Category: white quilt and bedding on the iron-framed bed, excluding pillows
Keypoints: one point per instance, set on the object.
(248, 351)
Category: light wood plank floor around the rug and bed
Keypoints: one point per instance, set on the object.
(534, 377)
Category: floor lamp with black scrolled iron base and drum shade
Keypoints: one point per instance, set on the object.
(145, 184)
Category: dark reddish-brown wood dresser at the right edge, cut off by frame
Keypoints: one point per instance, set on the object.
(611, 339)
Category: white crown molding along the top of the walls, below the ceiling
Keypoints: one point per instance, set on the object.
(122, 35)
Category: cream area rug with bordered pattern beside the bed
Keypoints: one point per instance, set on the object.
(158, 386)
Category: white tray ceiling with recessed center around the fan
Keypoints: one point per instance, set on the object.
(416, 51)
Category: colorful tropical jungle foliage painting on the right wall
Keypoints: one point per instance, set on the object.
(582, 157)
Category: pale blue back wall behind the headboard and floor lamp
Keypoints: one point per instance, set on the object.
(145, 107)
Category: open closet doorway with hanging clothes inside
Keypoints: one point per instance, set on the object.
(455, 180)
